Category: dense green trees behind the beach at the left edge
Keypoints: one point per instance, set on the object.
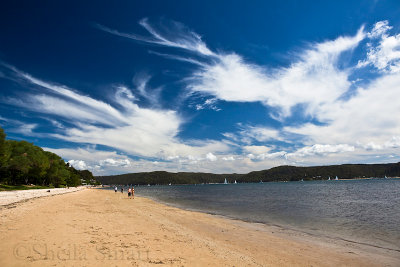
(22, 162)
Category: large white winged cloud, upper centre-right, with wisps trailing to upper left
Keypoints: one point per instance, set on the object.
(313, 79)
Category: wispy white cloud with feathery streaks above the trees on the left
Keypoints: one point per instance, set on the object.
(146, 132)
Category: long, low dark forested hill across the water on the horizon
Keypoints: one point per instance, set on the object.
(281, 173)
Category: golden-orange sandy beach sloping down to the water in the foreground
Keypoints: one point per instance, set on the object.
(101, 228)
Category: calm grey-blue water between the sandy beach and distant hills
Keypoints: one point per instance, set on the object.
(366, 211)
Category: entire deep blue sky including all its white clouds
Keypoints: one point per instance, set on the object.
(222, 87)
